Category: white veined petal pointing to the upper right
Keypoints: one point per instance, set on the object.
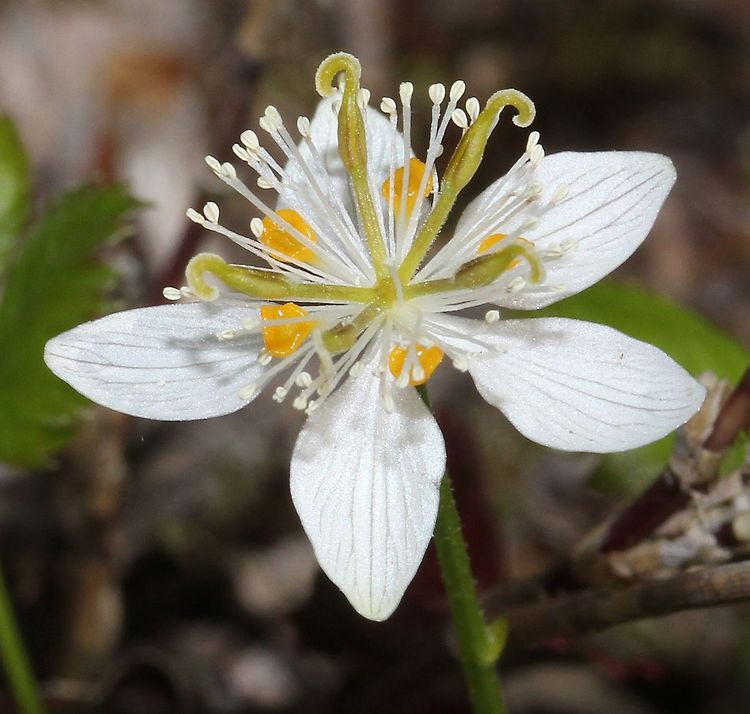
(612, 202)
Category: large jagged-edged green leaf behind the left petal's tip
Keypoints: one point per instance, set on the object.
(55, 283)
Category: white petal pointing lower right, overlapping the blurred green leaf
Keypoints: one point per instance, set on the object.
(579, 386)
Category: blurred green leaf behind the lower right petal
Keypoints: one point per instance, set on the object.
(683, 334)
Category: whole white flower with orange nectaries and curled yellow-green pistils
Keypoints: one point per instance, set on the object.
(354, 285)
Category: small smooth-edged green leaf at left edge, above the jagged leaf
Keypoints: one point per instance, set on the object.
(14, 187)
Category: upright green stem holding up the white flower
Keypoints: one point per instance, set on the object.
(479, 645)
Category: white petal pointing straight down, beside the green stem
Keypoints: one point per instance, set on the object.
(365, 483)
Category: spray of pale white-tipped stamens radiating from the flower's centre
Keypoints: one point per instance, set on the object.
(340, 256)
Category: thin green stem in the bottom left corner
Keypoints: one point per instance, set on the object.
(17, 667)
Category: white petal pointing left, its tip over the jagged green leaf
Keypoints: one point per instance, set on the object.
(161, 362)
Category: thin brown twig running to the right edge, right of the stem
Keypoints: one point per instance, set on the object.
(576, 614)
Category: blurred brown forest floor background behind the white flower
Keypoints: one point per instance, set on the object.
(161, 567)
